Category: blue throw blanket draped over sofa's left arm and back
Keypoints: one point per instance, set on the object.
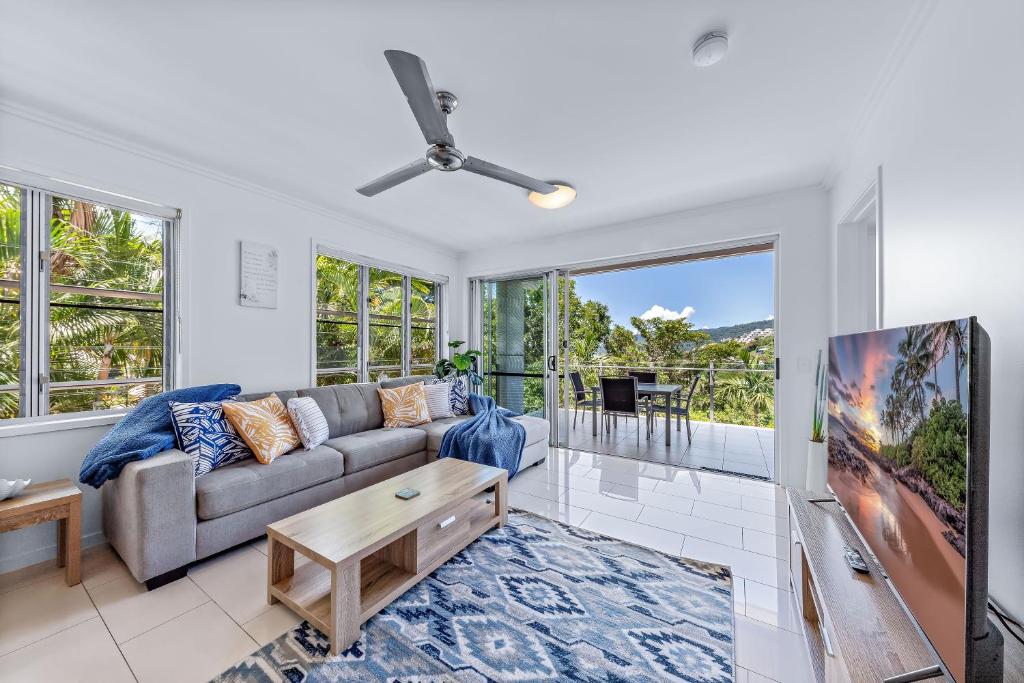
(144, 433)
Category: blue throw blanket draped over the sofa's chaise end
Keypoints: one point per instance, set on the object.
(490, 438)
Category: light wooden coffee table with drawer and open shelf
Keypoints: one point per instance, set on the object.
(369, 547)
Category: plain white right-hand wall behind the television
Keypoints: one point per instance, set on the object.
(950, 136)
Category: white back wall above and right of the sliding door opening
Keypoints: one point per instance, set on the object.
(800, 219)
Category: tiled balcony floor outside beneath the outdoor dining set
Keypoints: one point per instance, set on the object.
(736, 449)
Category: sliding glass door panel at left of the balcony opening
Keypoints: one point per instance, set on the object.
(521, 325)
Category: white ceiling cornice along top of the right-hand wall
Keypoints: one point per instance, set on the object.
(908, 38)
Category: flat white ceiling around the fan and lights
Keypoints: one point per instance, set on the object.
(298, 97)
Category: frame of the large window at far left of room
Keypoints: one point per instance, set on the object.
(34, 344)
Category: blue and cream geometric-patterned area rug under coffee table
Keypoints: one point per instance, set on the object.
(534, 602)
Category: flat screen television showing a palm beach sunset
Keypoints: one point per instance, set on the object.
(909, 414)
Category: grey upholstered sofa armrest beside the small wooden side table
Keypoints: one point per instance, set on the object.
(150, 515)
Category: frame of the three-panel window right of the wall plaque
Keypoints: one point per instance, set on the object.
(363, 368)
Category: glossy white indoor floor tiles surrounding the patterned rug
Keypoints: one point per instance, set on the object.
(111, 629)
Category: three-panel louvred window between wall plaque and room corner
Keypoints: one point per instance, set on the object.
(373, 321)
